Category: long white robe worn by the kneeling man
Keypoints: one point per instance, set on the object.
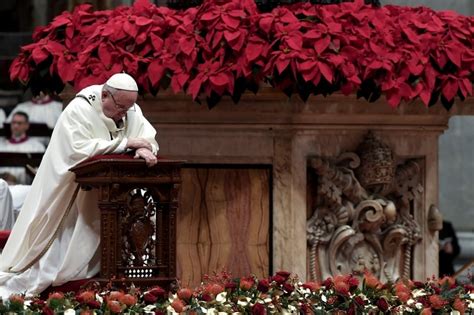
(81, 132)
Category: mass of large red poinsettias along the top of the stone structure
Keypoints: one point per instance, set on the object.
(227, 47)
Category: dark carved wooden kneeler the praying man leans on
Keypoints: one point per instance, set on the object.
(138, 207)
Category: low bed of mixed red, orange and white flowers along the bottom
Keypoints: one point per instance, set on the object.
(281, 293)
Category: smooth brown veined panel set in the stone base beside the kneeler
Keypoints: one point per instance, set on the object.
(223, 222)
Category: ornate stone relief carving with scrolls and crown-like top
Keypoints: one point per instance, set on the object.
(363, 206)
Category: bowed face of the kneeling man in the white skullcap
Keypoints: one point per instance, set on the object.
(116, 106)
